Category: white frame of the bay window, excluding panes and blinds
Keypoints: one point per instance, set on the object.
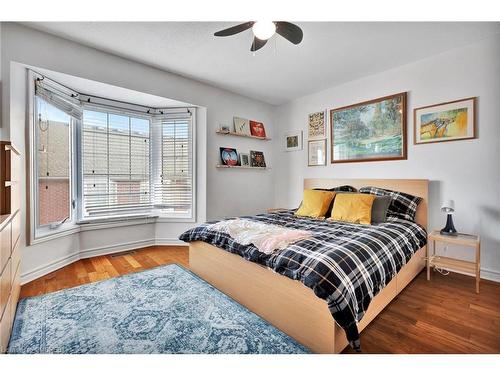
(76, 223)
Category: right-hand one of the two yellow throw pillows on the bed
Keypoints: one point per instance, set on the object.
(353, 208)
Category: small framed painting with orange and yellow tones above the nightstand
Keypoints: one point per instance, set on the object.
(450, 121)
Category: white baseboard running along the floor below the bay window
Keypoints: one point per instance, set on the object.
(45, 269)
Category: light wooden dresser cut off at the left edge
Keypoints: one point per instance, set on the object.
(10, 230)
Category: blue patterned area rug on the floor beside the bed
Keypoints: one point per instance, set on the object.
(163, 310)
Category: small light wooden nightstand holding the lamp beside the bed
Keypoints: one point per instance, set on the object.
(451, 264)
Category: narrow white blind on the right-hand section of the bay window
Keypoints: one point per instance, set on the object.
(174, 189)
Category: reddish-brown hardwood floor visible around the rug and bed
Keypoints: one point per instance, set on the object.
(443, 315)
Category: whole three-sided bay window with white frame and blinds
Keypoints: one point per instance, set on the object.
(97, 159)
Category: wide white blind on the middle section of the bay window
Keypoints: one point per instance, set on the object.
(115, 163)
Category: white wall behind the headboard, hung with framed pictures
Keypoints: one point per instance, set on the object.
(466, 171)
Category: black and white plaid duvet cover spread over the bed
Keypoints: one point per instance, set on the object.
(344, 264)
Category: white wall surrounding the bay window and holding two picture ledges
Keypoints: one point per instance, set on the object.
(22, 45)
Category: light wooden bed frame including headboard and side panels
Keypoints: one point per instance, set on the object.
(288, 304)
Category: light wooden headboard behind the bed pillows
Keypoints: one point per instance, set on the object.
(419, 188)
